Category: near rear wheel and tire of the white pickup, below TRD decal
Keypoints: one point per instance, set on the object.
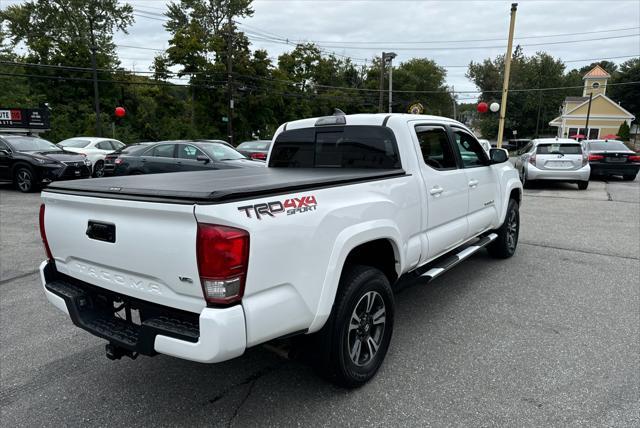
(357, 334)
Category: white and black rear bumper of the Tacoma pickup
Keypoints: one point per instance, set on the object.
(216, 334)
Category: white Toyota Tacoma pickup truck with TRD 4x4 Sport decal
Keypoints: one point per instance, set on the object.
(203, 265)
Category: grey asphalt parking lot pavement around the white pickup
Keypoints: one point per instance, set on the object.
(549, 337)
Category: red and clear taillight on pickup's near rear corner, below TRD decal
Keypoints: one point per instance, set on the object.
(223, 256)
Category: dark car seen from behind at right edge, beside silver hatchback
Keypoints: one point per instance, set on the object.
(612, 158)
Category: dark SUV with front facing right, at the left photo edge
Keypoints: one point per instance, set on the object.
(30, 161)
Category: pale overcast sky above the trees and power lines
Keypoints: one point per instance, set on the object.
(452, 33)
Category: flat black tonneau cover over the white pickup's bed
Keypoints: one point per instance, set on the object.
(211, 187)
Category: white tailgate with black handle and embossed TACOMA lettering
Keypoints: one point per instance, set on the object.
(152, 256)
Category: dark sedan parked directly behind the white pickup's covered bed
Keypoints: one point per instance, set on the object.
(175, 156)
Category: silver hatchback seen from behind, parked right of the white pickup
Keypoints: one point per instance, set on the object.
(558, 159)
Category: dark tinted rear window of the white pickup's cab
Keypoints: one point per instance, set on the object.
(336, 147)
